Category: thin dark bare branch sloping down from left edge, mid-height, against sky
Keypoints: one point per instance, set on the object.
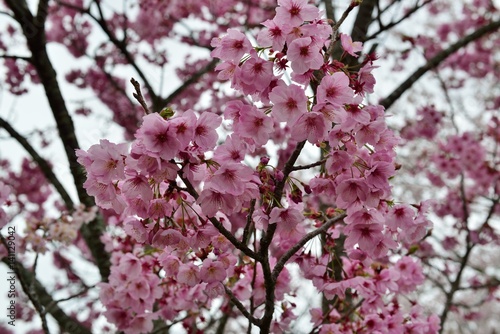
(42, 163)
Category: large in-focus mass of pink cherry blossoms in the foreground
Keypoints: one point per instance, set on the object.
(194, 209)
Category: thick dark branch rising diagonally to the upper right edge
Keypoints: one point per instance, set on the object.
(436, 60)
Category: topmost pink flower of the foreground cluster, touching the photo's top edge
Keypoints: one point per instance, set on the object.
(295, 12)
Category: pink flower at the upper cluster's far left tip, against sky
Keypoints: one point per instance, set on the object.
(232, 46)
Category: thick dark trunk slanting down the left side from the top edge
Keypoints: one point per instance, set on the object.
(37, 43)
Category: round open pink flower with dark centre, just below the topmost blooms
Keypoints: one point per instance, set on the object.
(304, 55)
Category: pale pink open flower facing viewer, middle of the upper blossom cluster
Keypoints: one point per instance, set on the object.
(290, 102)
